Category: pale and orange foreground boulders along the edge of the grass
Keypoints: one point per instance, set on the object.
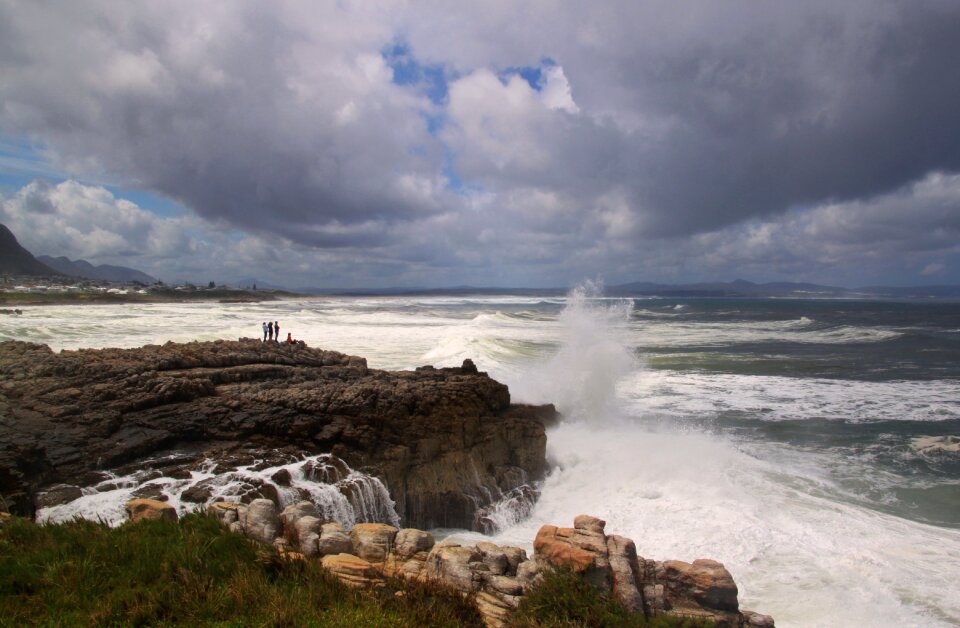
(499, 576)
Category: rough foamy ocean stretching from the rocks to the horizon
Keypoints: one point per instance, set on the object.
(785, 438)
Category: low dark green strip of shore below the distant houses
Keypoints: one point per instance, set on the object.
(10, 298)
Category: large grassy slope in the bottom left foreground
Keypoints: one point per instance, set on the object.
(192, 572)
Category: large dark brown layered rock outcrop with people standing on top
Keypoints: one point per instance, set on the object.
(446, 442)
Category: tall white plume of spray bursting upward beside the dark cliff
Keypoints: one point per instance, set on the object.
(582, 377)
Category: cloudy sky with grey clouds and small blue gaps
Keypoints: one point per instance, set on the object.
(373, 144)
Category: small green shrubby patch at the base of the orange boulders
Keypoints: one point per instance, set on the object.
(563, 599)
